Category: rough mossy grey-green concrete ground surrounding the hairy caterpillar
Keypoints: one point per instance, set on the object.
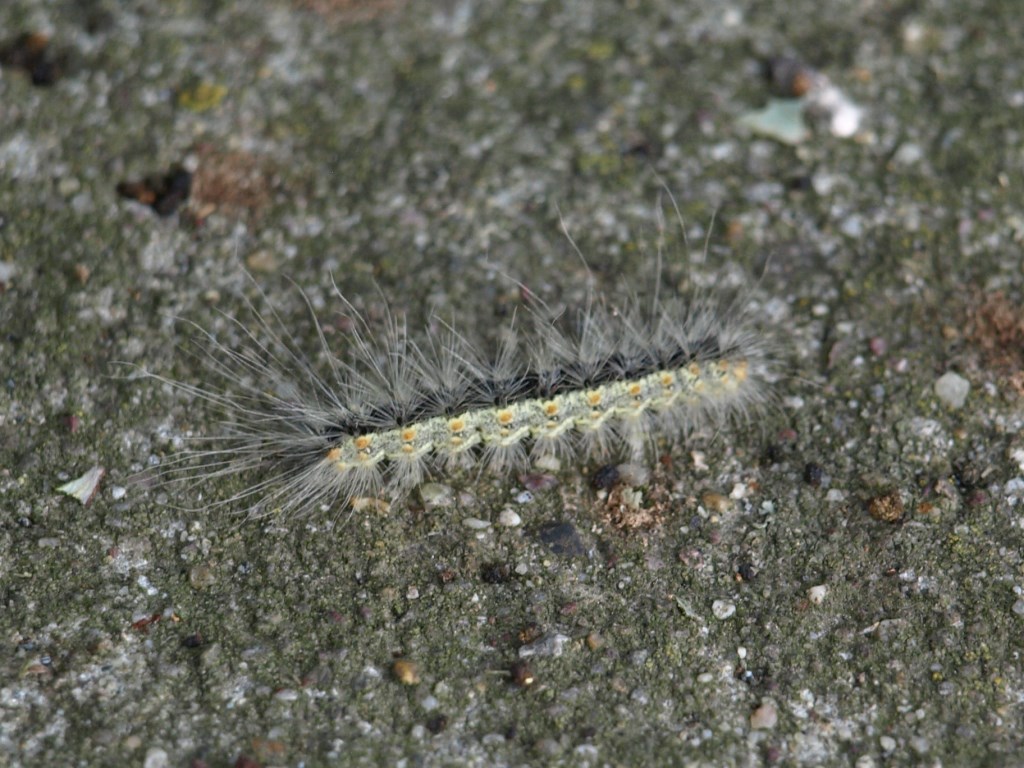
(432, 150)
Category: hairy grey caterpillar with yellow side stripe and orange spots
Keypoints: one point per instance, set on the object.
(614, 379)
